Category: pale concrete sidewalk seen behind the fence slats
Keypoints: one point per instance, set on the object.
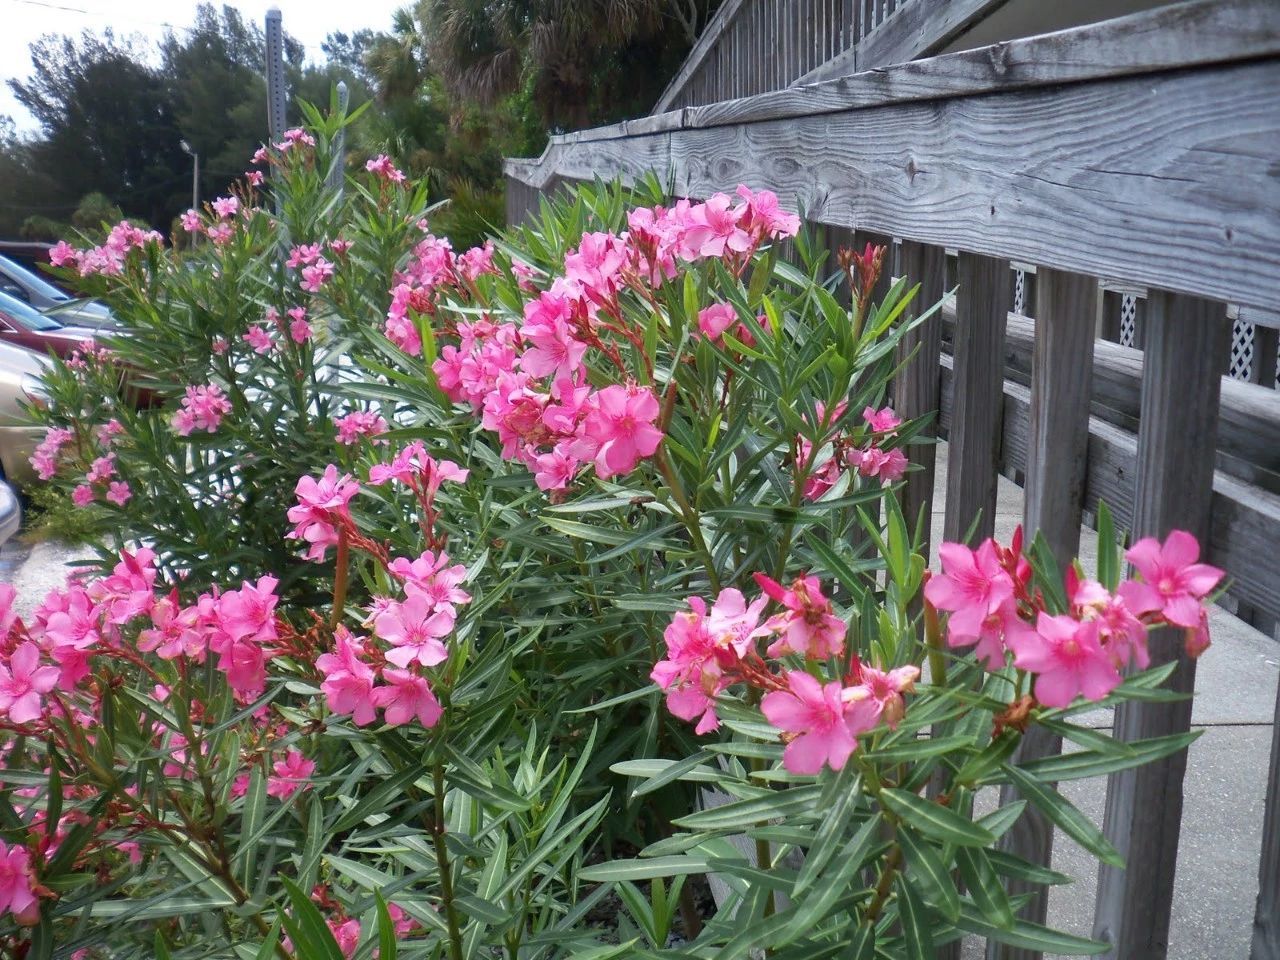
(1226, 788)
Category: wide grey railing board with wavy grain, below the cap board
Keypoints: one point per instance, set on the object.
(1154, 179)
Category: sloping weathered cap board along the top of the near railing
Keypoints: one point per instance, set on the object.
(1194, 34)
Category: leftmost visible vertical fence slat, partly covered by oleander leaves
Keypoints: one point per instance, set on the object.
(917, 390)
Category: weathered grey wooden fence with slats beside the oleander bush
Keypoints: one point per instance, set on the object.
(1140, 154)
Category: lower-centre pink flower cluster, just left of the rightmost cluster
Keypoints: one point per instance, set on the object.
(708, 651)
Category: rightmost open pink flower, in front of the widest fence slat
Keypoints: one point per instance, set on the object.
(1174, 584)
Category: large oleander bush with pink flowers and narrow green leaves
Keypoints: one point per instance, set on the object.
(488, 602)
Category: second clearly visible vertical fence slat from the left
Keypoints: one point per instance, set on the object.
(984, 301)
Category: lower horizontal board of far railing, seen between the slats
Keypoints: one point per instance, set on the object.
(1246, 527)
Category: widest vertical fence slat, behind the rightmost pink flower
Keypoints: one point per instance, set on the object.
(1187, 344)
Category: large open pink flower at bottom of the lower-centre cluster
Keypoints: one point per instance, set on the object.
(815, 716)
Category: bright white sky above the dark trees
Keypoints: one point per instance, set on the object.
(25, 21)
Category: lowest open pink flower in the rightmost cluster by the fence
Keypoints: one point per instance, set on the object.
(1068, 660)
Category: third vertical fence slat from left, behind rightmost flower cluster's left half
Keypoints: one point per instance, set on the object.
(1058, 446)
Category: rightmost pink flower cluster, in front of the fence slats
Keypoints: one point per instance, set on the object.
(1081, 653)
